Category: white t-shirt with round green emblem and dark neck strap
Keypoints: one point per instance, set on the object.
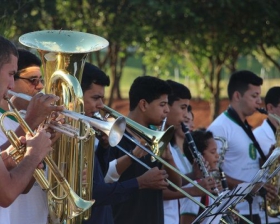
(241, 161)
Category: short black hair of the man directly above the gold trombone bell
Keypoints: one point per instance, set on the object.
(148, 88)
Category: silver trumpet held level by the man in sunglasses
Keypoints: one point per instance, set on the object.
(114, 130)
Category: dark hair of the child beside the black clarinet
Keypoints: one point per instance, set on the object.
(200, 138)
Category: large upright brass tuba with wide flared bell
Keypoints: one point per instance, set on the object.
(63, 55)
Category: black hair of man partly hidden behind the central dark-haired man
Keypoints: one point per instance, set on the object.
(179, 91)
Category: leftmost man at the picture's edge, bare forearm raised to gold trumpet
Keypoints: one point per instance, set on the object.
(14, 181)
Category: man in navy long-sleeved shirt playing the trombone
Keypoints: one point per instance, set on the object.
(106, 194)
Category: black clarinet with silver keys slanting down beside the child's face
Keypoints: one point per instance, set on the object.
(195, 153)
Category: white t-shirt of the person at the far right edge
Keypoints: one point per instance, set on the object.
(265, 137)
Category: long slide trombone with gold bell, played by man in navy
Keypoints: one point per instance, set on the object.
(160, 139)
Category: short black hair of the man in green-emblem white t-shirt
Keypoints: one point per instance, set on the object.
(240, 80)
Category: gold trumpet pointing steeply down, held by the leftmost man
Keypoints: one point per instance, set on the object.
(76, 204)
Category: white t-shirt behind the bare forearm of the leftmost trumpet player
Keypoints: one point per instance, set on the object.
(27, 208)
